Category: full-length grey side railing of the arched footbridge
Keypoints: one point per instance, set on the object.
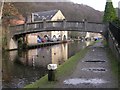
(58, 25)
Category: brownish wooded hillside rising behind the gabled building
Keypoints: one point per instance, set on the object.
(70, 10)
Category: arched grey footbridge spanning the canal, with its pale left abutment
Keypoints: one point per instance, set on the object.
(27, 28)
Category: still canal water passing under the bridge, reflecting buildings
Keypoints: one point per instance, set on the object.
(24, 67)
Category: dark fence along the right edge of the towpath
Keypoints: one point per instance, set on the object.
(114, 39)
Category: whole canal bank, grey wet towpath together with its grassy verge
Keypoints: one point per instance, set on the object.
(90, 68)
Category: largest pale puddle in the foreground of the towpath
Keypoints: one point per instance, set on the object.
(76, 81)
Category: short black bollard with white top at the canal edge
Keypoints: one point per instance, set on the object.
(51, 72)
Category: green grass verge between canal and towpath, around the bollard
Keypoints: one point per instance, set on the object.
(62, 71)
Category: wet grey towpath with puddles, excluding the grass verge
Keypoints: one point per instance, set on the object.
(93, 71)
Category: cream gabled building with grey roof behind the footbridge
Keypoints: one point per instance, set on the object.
(52, 15)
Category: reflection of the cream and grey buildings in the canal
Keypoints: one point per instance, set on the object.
(41, 57)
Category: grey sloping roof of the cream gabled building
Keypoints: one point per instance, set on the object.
(47, 15)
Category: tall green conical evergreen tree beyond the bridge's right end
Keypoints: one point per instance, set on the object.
(109, 13)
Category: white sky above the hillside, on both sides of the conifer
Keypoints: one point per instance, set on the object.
(96, 4)
